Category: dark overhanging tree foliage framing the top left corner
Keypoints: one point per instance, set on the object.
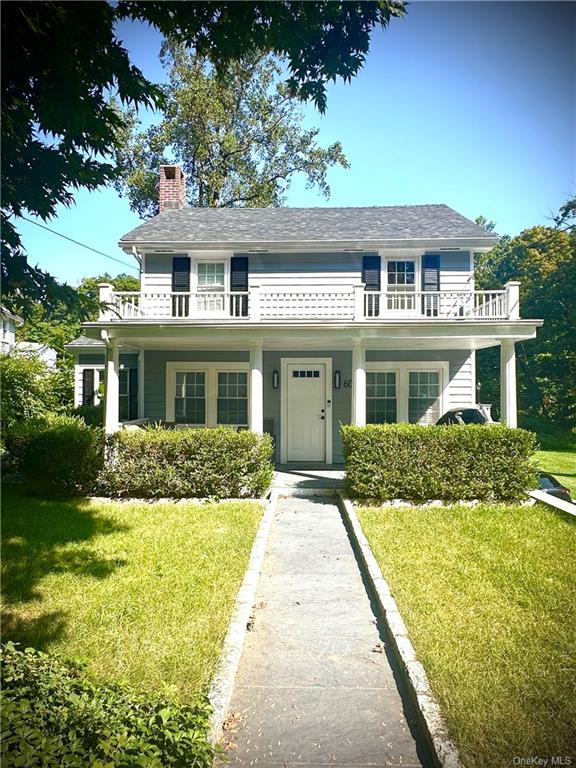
(61, 60)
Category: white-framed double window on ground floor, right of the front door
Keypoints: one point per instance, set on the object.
(410, 392)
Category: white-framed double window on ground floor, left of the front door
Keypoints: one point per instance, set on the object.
(207, 394)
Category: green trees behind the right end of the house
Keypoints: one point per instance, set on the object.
(544, 260)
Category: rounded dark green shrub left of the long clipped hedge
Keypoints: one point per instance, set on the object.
(58, 455)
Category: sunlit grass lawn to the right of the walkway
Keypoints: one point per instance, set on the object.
(489, 597)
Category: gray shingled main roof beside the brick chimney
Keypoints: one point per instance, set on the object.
(401, 222)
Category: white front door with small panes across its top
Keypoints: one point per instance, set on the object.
(306, 416)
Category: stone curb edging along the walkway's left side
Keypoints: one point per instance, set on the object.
(222, 685)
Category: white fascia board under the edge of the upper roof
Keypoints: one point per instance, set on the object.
(287, 246)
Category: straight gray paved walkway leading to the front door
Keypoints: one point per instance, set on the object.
(315, 685)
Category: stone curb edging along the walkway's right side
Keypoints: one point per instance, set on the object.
(443, 747)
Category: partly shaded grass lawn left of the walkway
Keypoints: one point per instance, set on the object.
(143, 592)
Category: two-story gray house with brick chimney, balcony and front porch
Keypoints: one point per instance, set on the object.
(293, 320)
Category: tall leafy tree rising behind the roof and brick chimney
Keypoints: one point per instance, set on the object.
(238, 137)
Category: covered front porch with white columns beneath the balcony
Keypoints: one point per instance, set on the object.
(299, 384)
